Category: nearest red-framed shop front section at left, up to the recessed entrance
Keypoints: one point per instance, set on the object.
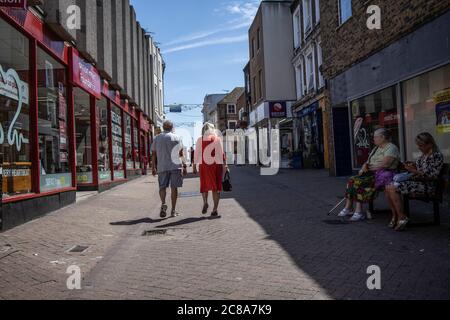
(35, 120)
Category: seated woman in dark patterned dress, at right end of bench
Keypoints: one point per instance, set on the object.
(427, 168)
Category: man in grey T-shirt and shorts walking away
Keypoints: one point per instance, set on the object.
(168, 163)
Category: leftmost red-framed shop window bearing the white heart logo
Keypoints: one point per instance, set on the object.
(14, 111)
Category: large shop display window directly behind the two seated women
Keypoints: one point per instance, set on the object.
(424, 107)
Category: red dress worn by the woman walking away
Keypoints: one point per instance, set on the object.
(211, 167)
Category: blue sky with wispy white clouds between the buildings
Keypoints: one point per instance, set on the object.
(204, 43)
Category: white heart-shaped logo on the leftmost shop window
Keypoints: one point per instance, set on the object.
(7, 80)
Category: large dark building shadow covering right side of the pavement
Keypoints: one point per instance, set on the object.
(292, 209)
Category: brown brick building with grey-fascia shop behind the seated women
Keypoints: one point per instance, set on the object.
(389, 77)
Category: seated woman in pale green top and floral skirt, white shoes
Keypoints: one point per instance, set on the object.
(376, 173)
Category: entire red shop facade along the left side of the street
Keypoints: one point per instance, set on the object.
(62, 129)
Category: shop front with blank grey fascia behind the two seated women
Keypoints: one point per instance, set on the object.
(406, 95)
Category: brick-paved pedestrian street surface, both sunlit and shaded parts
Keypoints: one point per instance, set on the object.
(274, 241)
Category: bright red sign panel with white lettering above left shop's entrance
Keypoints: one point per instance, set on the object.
(86, 76)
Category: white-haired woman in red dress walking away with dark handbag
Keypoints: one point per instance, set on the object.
(210, 158)
